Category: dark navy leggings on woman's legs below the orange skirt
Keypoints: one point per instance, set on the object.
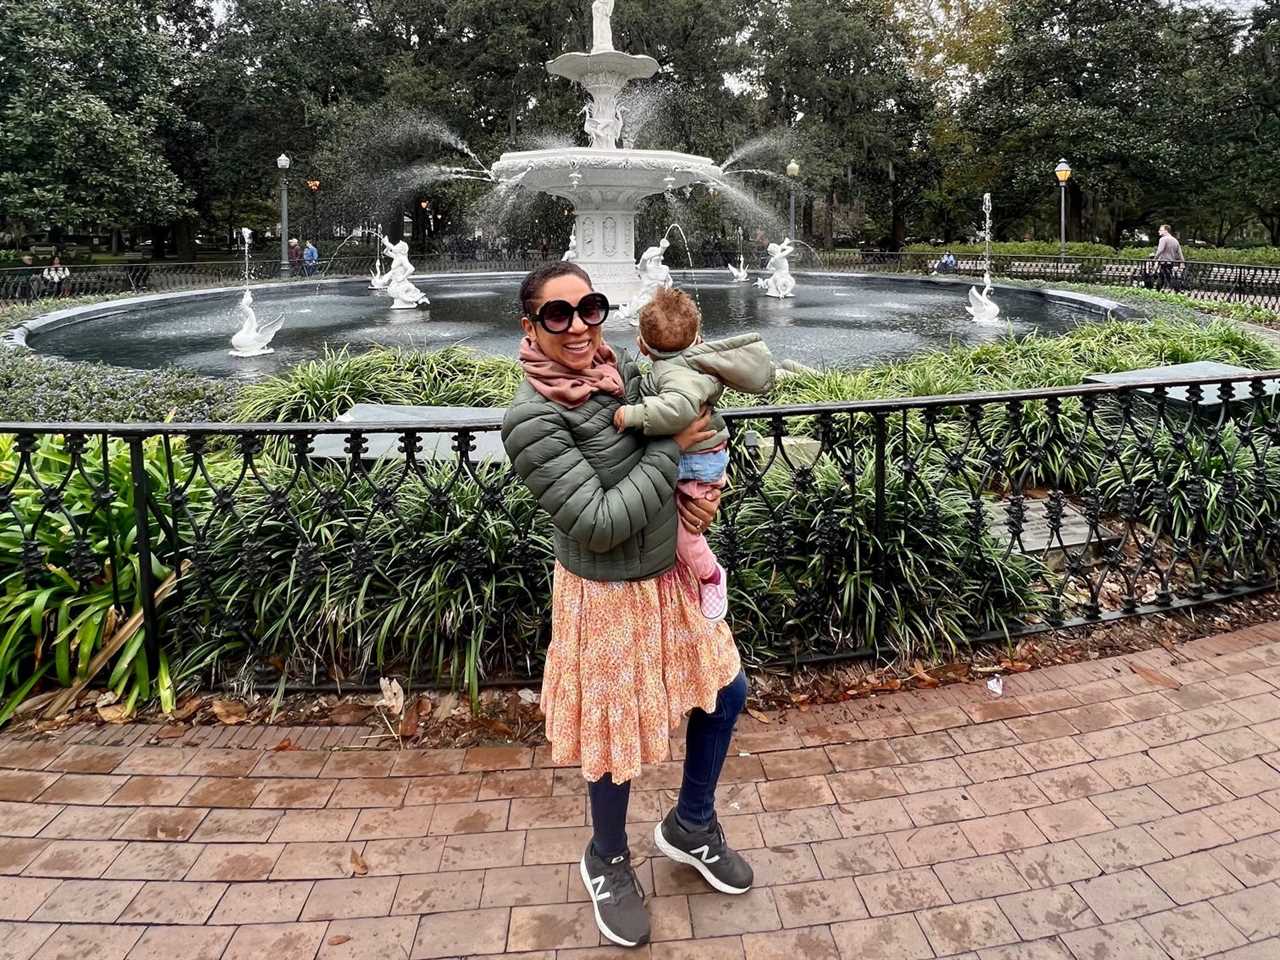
(706, 749)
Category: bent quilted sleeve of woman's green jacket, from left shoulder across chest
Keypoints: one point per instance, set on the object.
(545, 455)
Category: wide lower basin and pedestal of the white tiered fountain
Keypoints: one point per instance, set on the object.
(606, 188)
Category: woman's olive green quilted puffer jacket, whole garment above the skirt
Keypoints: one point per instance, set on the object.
(611, 496)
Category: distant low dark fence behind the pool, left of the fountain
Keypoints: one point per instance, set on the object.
(22, 285)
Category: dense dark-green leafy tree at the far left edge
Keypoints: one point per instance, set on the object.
(84, 100)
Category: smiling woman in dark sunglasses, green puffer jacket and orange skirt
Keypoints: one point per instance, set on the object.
(630, 650)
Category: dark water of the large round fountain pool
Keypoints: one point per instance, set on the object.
(833, 321)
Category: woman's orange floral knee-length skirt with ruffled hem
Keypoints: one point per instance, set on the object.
(627, 662)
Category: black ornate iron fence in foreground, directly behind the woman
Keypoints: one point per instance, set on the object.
(848, 529)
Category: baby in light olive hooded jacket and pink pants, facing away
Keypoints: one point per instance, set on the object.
(689, 374)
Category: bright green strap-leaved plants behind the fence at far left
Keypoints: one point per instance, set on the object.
(70, 575)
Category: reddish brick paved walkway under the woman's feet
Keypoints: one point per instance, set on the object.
(1122, 810)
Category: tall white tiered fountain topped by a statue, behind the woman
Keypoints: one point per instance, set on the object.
(606, 184)
